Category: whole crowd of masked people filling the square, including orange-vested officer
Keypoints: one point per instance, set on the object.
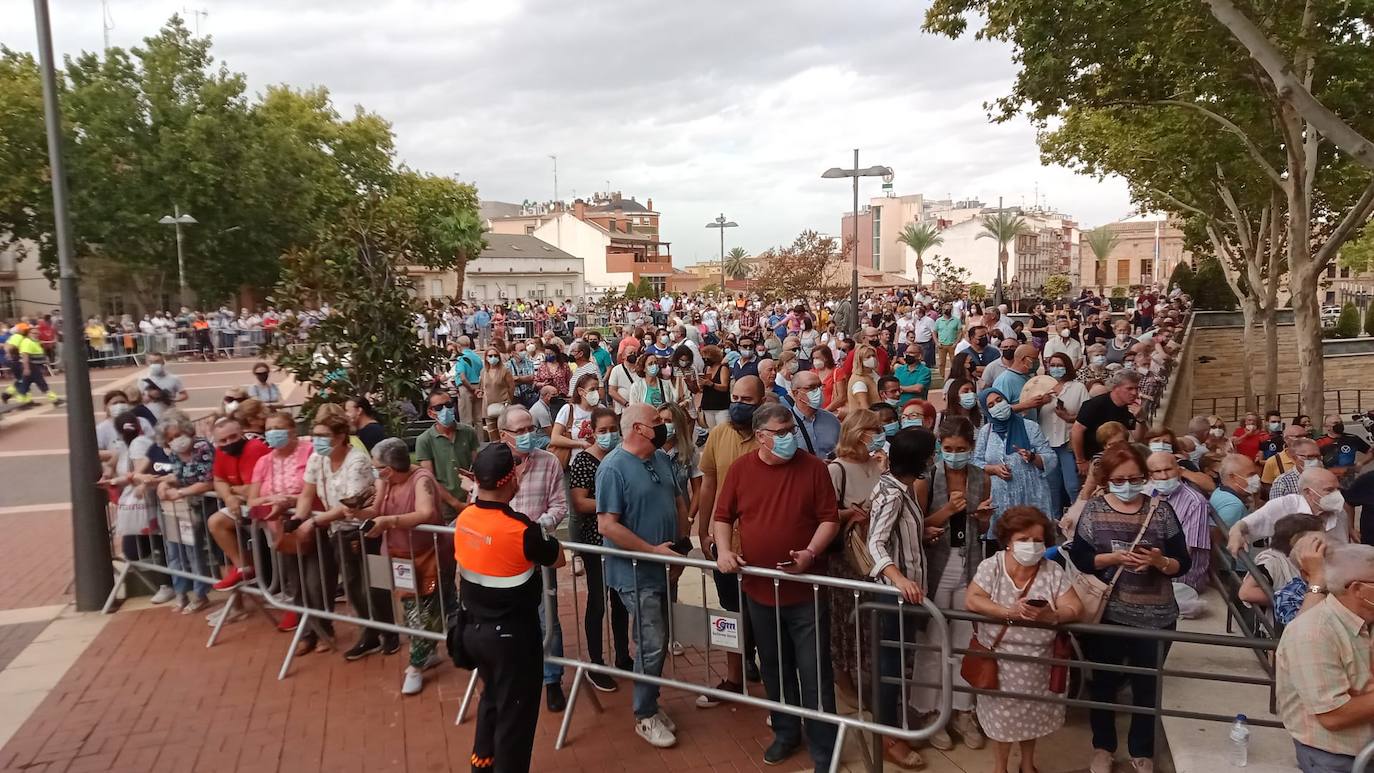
(946, 450)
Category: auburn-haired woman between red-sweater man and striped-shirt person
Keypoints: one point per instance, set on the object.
(854, 474)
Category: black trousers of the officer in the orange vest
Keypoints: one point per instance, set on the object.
(510, 660)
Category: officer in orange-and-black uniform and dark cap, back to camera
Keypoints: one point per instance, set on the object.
(499, 553)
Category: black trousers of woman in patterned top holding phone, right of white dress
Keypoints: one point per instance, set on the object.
(1125, 651)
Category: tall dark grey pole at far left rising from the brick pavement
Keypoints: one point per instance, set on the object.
(90, 529)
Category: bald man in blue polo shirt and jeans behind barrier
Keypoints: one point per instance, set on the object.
(640, 509)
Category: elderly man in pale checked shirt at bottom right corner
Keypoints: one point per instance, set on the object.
(1322, 676)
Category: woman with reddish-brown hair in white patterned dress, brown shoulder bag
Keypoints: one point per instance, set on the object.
(1020, 584)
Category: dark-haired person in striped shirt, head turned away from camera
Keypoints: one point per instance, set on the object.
(897, 543)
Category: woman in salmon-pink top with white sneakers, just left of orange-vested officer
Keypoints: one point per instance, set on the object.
(406, 498)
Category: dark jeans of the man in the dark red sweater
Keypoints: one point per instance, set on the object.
(800, 635)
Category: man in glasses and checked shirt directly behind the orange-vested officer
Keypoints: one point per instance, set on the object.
(543, 499)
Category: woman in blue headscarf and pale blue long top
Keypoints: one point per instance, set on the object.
(1015, 455)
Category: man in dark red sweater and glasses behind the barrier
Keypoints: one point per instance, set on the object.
(785, 507)
